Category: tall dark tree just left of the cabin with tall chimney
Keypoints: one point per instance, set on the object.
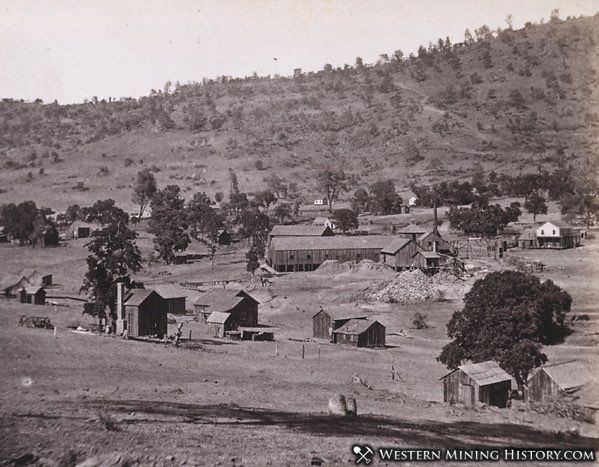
(113, 255)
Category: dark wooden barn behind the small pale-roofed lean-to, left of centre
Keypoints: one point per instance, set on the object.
(238, 303)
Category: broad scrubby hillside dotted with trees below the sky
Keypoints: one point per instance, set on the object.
(511, 100)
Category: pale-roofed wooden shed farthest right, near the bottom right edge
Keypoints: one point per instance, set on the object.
(556, 381)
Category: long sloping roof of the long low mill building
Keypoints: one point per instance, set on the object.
(376, 242)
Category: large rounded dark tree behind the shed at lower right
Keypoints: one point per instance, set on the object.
(507, 317)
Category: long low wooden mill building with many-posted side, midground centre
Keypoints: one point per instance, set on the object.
(292, 254)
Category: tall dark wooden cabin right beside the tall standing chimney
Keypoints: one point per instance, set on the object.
(145, 311)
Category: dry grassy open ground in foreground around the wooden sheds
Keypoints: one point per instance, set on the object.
(217, 402)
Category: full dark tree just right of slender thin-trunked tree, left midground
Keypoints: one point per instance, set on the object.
(168, 223)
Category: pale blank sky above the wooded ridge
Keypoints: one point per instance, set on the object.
(73, 50)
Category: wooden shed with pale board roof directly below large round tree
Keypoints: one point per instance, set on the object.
(477, 383)
